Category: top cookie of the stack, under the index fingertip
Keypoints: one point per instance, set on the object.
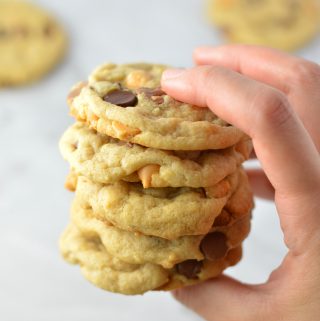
(123, 101)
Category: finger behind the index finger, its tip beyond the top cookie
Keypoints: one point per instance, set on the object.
(298, 78)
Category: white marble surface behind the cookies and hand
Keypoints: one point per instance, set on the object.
(35, 284)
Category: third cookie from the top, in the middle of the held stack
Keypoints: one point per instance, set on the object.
(164, 212)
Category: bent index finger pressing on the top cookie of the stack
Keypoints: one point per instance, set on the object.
(282, 144)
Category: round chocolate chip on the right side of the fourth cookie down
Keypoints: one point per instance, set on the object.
(214, 246)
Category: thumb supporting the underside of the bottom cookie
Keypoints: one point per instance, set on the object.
(226, 299)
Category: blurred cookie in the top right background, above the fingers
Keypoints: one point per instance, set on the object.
(281, 24)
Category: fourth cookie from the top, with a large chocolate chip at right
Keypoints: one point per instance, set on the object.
(136, 248)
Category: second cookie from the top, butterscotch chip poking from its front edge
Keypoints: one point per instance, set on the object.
(107, 160)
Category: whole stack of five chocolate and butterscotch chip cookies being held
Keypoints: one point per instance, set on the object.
(161, 200)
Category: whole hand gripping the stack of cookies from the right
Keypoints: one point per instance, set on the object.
(275, 99)
